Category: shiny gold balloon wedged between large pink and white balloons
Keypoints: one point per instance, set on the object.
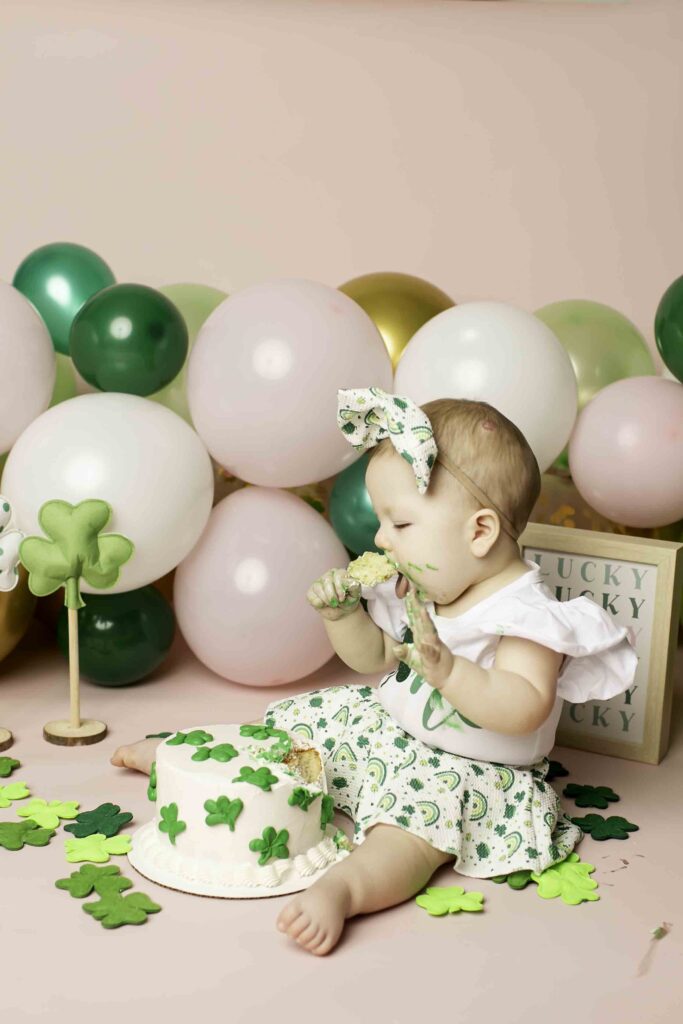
(399, 304)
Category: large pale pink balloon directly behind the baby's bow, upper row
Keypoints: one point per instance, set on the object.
(264, 376)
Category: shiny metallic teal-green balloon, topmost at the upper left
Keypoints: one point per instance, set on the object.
(59, 279)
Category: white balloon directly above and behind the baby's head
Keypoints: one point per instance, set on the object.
(495, 353)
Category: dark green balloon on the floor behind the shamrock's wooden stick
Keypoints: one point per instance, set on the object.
(121, 637)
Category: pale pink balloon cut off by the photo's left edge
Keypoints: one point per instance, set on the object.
(28, 365)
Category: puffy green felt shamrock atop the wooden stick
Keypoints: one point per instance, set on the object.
(74, 550)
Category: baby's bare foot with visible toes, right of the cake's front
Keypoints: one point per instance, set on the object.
(316, 918)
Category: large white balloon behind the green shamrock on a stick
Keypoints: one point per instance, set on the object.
(139, 456)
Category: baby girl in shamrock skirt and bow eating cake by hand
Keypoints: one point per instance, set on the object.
(446, 761)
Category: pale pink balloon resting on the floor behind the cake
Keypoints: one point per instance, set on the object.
(240, 596)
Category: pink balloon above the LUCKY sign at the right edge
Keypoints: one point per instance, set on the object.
(626, 452)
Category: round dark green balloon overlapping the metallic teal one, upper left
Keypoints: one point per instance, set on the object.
(130, 338)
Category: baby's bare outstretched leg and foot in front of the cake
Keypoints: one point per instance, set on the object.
(389, 868)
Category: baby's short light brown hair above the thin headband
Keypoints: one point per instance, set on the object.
(490, 449)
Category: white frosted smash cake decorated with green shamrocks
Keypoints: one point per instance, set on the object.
(242, 810)
